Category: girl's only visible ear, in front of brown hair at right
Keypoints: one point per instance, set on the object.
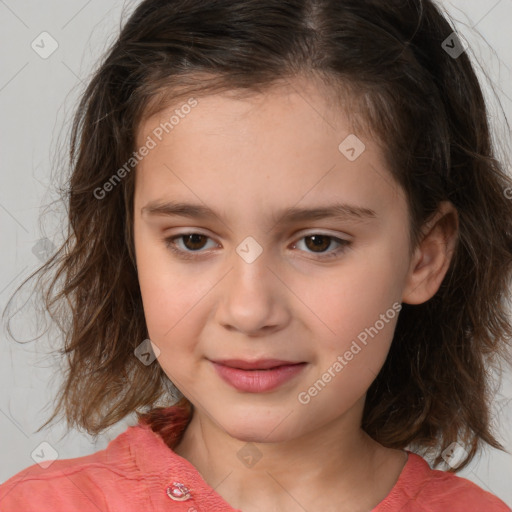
(432, 256)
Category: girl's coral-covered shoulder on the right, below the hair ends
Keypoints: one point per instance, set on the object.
(421, 488)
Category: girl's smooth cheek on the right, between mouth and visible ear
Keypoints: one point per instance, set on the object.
(358, 309)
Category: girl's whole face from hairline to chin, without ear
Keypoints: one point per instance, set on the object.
(292, 254)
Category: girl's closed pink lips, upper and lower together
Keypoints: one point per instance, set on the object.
(257, 376)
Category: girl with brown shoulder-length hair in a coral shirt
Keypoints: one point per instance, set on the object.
(291, 211)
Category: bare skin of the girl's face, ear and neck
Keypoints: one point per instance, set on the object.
(247, 159)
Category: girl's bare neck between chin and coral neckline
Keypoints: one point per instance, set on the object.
(336, 467)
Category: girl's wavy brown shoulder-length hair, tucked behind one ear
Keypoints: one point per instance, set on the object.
(423, 104)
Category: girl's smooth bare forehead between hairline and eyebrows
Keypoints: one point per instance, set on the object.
(287, 144)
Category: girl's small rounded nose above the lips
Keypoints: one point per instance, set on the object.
(253, 298)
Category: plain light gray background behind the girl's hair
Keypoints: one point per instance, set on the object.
(37, 98)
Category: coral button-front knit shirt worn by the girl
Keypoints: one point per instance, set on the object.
(138, 472)
